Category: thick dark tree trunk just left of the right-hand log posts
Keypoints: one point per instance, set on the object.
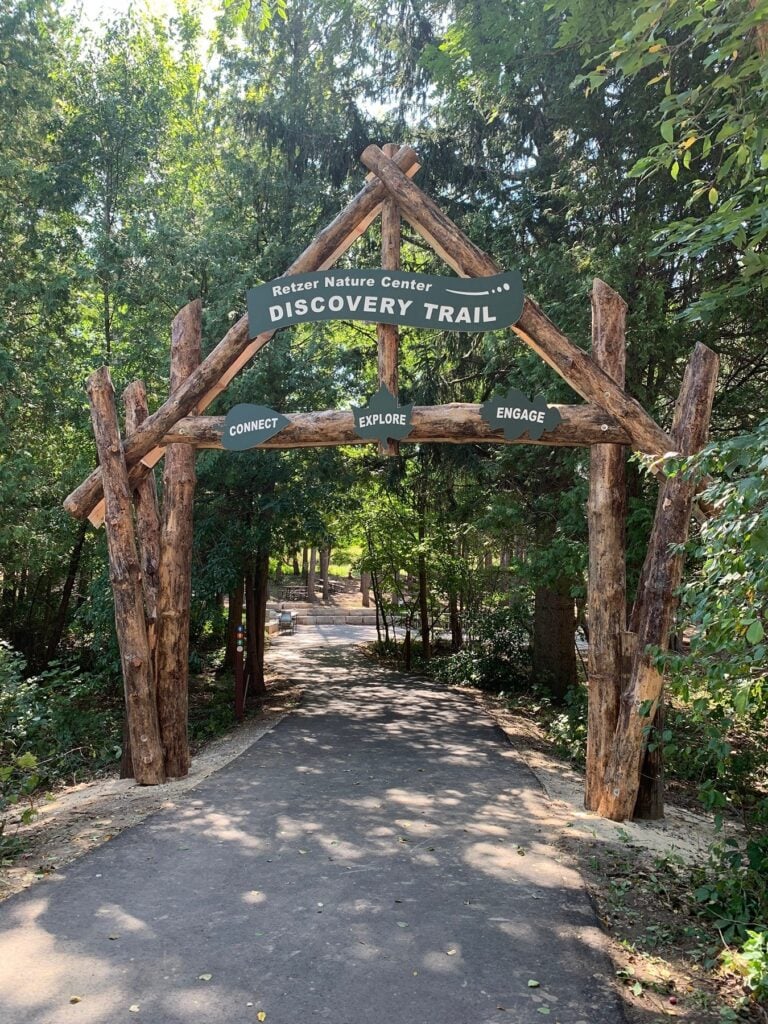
(554, 639)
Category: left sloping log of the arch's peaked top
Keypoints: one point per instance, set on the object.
(236, 349)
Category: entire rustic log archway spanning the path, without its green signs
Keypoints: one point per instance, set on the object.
(152, 581)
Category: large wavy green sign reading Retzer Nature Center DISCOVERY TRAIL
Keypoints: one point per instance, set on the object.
(388, 297)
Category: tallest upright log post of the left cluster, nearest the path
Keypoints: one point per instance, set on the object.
(175, 591)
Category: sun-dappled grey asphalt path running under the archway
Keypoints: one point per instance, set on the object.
(380, 858)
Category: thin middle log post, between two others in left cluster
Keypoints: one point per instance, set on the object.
(148, 515)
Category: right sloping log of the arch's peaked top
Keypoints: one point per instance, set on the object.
(574, 365)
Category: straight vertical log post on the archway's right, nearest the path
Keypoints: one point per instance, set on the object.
(607, 514)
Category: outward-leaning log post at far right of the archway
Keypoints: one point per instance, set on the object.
(656, 603)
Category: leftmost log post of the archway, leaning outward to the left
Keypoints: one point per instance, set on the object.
(126, 584)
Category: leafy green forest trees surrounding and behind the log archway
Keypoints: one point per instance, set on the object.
(149, 161)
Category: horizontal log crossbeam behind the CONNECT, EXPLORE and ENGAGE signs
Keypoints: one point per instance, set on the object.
(459, 423)
